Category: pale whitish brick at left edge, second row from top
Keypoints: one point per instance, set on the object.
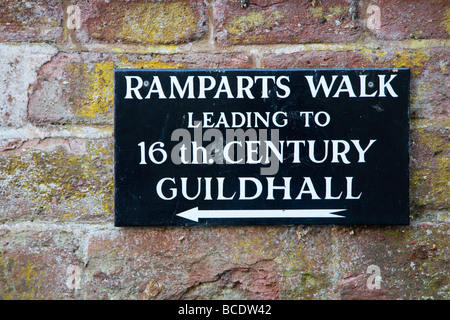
(18, 66)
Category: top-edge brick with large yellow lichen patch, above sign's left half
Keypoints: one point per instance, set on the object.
(142, 21)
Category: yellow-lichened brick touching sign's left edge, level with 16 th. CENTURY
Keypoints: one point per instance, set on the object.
(59, 182)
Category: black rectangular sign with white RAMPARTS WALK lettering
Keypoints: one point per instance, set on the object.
(259, 147)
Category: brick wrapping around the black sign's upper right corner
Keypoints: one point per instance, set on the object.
(429, 71)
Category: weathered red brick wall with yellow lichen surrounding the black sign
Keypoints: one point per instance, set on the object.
(57, 239)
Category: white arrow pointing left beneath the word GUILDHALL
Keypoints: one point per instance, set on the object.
(194, 214)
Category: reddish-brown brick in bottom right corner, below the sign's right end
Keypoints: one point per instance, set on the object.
(411, 262)
